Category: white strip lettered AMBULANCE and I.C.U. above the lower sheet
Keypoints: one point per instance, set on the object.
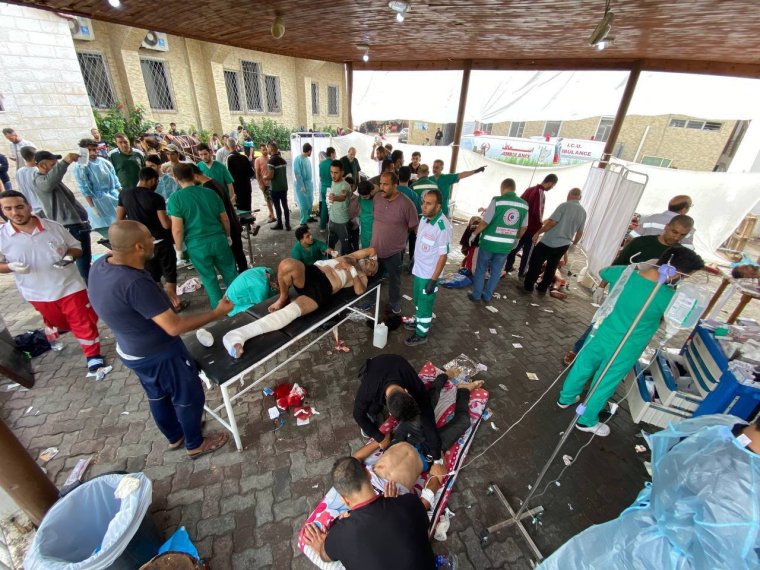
(534, 152)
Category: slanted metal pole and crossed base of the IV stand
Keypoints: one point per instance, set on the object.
(517, 517)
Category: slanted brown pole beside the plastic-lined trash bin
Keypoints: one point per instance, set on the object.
(23, 479)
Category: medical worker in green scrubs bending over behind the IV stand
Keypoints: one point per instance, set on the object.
(602, 344)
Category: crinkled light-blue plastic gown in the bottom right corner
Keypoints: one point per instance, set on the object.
(699, 512)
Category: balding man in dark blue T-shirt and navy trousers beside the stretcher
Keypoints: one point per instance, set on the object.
(147, 333)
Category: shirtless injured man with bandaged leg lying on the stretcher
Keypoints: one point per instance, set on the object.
(315, 285)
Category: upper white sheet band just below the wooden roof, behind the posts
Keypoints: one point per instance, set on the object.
(496, 96)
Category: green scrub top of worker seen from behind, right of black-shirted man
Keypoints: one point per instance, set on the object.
(199, 209)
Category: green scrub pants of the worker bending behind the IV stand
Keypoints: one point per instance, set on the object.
(595, 355)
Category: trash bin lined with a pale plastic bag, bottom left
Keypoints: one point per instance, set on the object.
(90, 528)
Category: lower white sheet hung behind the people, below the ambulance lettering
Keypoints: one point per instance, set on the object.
(721, 199)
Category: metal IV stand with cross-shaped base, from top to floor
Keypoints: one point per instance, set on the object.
(523, 512)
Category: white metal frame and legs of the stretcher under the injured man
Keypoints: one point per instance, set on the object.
(230, 423)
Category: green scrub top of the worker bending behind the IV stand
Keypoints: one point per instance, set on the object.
(628, 305)
